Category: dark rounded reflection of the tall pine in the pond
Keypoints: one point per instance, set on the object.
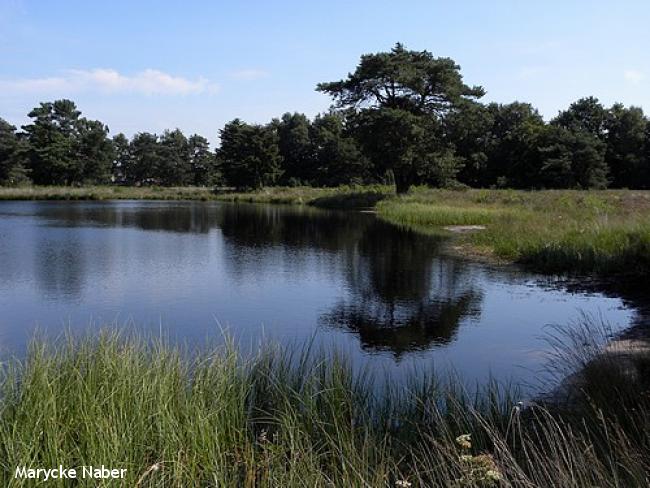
(401, 299)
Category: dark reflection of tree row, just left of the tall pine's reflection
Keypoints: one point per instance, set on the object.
(295, 244)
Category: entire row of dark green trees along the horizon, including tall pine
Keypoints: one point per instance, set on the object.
(403, 117)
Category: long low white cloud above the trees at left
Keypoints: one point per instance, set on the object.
(147, 82)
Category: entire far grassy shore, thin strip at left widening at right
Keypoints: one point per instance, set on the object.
(586, 232)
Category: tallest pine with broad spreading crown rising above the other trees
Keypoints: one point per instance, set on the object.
(398, 102)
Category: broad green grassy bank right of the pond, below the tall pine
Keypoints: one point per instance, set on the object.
(604, 232)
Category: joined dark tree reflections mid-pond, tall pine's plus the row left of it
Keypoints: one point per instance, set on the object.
(399, 296)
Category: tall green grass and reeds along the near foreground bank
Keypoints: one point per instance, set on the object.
(282, 419)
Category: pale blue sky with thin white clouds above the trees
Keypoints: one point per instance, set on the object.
(154, 65)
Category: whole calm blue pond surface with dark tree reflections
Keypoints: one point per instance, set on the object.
(384, 294)
